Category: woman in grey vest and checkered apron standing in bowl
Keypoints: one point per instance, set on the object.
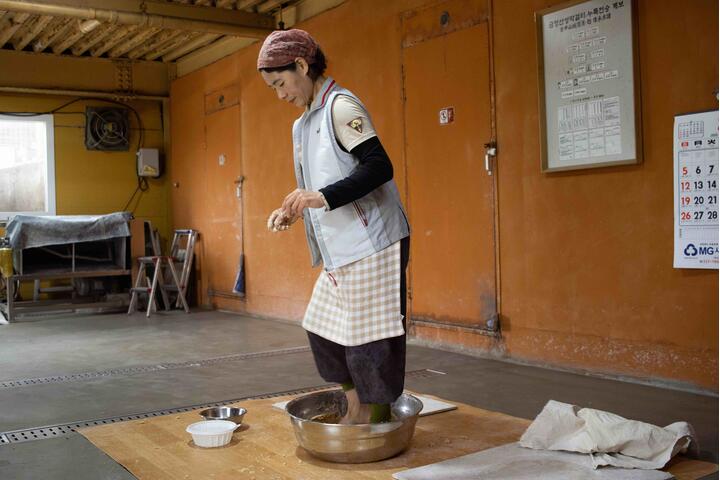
(355, 225)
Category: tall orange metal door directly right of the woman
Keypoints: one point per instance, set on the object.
(450, 193)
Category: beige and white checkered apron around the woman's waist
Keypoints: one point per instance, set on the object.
(358, 303)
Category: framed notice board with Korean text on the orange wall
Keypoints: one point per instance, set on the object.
(588, 77)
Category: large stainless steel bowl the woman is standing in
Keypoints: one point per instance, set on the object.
(362, 443)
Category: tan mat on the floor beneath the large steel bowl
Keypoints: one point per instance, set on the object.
(158, 448)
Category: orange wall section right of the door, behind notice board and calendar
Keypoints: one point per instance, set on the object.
(586, 257)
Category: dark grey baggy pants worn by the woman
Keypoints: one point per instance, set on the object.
(377, 369)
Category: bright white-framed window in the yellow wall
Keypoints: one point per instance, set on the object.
(27, 165)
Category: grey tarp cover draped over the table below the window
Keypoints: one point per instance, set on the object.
(28, 231)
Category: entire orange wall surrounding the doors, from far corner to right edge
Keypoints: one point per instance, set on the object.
(585, 257)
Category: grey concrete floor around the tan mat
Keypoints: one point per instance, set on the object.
(52, 346)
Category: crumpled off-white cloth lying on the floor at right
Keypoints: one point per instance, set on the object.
(610, 439)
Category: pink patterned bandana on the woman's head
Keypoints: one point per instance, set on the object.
(282, 47)
